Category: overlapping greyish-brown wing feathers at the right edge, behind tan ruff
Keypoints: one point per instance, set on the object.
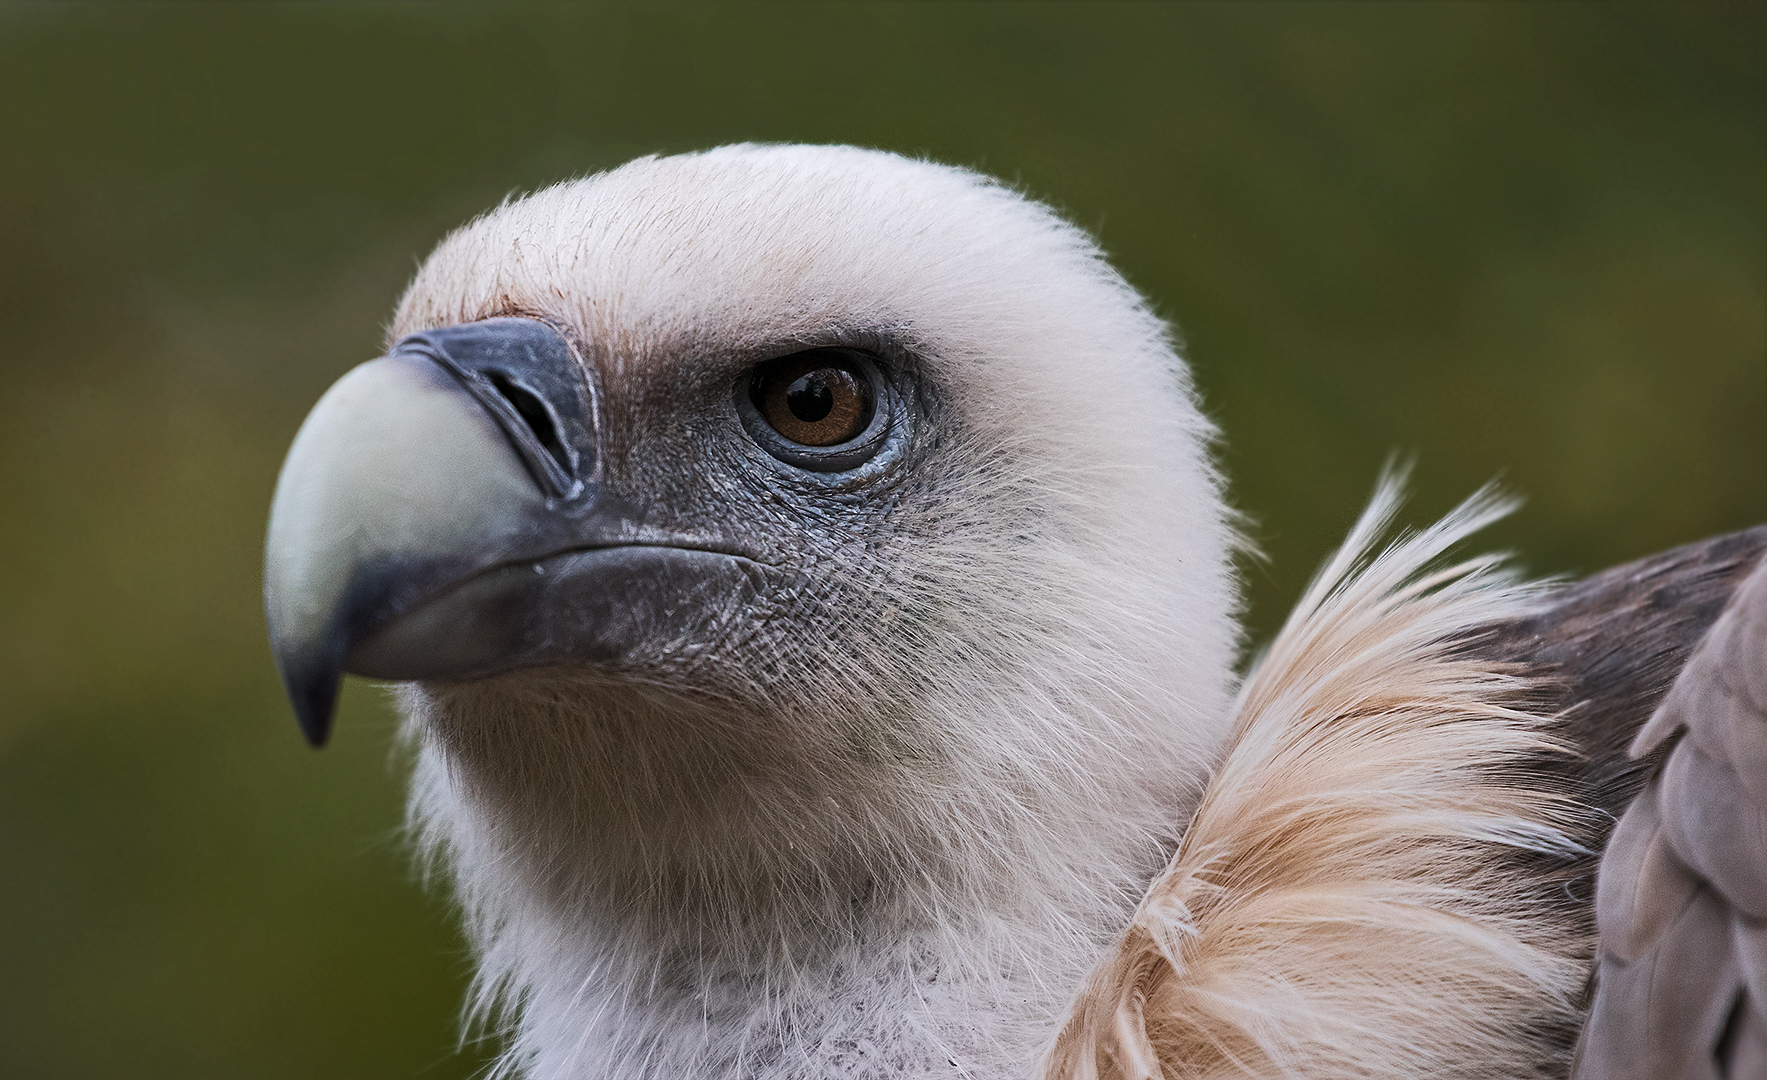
(1683, 996)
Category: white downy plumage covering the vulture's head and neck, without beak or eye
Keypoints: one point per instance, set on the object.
(909, 855)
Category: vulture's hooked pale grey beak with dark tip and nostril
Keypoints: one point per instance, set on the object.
(441, 517)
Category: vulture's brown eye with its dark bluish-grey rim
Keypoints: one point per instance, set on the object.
(823, 409)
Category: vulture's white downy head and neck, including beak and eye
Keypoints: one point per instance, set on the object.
(812, 602)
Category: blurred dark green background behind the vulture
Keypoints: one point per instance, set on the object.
(1519, 241)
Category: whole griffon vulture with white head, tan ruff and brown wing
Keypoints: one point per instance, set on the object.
(812, 600)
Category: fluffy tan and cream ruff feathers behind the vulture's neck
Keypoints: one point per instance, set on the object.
(1335, 908)
